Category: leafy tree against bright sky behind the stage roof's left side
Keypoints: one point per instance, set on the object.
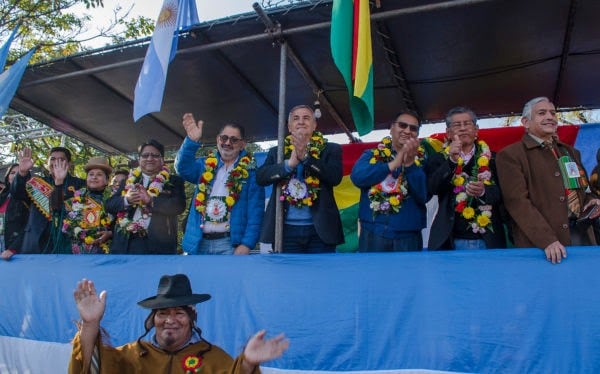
(56, 27)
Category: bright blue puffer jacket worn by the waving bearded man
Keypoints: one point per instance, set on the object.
(246, 214)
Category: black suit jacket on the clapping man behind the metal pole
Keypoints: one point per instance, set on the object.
(326, 216)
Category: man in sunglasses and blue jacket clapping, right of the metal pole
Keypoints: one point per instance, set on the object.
(393, 190)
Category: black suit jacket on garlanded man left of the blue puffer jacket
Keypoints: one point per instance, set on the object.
(162, 231)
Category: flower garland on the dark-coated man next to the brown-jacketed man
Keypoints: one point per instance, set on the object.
(481, 221)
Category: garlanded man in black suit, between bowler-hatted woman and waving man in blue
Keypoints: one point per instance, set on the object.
(146, 206)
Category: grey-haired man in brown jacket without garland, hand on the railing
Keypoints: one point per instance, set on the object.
(544, 186)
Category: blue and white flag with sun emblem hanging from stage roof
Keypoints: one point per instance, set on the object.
(174, 16)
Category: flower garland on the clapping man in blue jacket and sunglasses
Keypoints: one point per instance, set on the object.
(389, 201)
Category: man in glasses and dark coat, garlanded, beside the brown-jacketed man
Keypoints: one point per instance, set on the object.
(463, 176)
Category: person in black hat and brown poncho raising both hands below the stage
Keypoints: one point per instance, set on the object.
(177, 345)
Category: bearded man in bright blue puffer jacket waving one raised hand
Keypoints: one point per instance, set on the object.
(227, 207)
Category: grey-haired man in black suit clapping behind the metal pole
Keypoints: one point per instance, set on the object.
(310, 170)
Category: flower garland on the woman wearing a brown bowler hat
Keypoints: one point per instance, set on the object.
(84, 220)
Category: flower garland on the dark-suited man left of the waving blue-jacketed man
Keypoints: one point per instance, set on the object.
(156, 186)
